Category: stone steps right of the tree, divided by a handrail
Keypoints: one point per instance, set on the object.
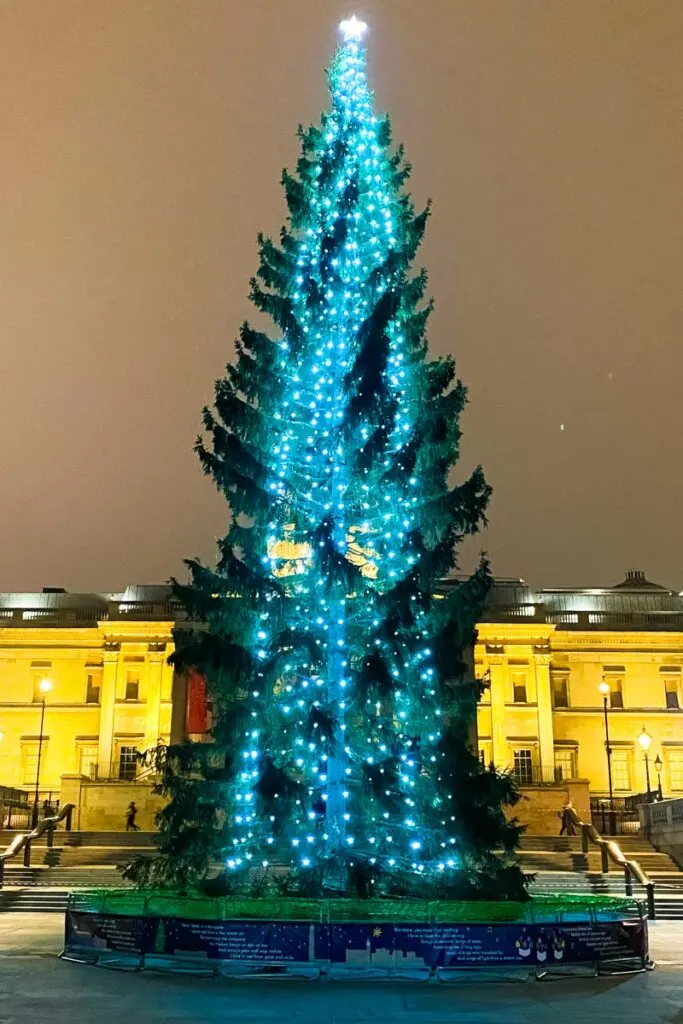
(560, 866)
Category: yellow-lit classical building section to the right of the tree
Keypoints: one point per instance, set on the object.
(545, 657)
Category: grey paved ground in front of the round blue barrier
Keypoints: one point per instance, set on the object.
(38, 989)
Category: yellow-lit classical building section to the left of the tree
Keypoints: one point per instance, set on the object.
(106, 658)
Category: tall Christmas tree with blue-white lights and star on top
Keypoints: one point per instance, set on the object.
(341, 759)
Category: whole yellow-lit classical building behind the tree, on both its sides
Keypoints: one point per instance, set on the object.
(544, 656)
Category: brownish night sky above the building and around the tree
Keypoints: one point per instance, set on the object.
(143, 143)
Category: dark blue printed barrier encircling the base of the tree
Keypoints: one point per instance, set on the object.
(421, 941)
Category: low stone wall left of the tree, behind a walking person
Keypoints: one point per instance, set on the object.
(102, 806)
